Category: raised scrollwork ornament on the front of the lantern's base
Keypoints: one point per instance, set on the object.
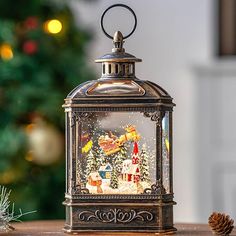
(115, 216)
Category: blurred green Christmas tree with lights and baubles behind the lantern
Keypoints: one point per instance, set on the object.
(42, 58)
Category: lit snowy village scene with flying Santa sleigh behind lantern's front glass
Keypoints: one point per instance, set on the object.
(118, 153)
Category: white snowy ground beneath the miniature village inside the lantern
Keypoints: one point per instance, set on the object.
(124, 187)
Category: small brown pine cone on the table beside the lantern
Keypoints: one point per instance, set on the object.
(221, 224)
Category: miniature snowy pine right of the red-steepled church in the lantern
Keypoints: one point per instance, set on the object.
(144, 165)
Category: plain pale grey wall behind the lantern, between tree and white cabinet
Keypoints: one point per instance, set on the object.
(171, 37)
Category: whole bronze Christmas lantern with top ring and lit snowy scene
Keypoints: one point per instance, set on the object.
(119, 150)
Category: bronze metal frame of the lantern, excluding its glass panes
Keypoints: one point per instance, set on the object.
(151, 211)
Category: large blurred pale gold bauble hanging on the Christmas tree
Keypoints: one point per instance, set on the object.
(45, 142)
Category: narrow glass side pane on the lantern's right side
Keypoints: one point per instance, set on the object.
(165, 152)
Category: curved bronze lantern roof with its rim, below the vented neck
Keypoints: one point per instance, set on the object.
(122, 92)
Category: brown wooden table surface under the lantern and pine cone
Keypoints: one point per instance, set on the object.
(54, 228)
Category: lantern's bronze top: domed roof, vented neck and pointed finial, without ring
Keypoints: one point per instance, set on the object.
(118, 85)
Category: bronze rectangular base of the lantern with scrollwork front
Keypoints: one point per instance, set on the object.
(156, 217)
